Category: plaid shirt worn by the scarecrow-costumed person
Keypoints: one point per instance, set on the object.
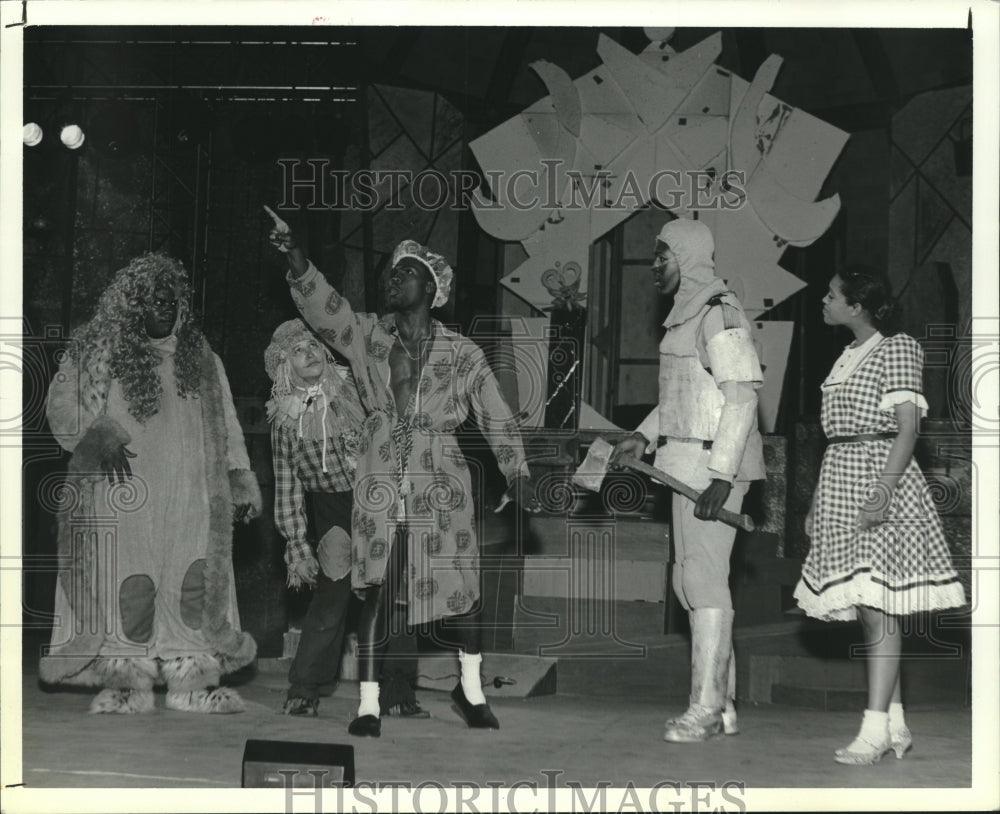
(298, 468)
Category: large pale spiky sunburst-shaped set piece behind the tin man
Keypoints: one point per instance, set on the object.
(663, 125)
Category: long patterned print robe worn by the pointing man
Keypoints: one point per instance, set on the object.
(410, 469)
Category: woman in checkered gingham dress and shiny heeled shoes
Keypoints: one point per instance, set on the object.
(878, 549)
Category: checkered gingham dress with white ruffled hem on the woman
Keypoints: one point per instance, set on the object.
(903, 565)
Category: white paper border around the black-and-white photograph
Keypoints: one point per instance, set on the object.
(985, 16)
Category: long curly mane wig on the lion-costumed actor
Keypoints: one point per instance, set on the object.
(113, 344)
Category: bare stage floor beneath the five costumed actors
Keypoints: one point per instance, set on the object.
(589, 739)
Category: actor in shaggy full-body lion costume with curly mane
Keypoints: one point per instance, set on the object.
(159, 472)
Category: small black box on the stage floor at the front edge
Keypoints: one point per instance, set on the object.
(284, 764)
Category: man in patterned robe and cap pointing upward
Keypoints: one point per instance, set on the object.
(413, 529)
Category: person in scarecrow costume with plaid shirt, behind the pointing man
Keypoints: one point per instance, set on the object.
(315, 413)
